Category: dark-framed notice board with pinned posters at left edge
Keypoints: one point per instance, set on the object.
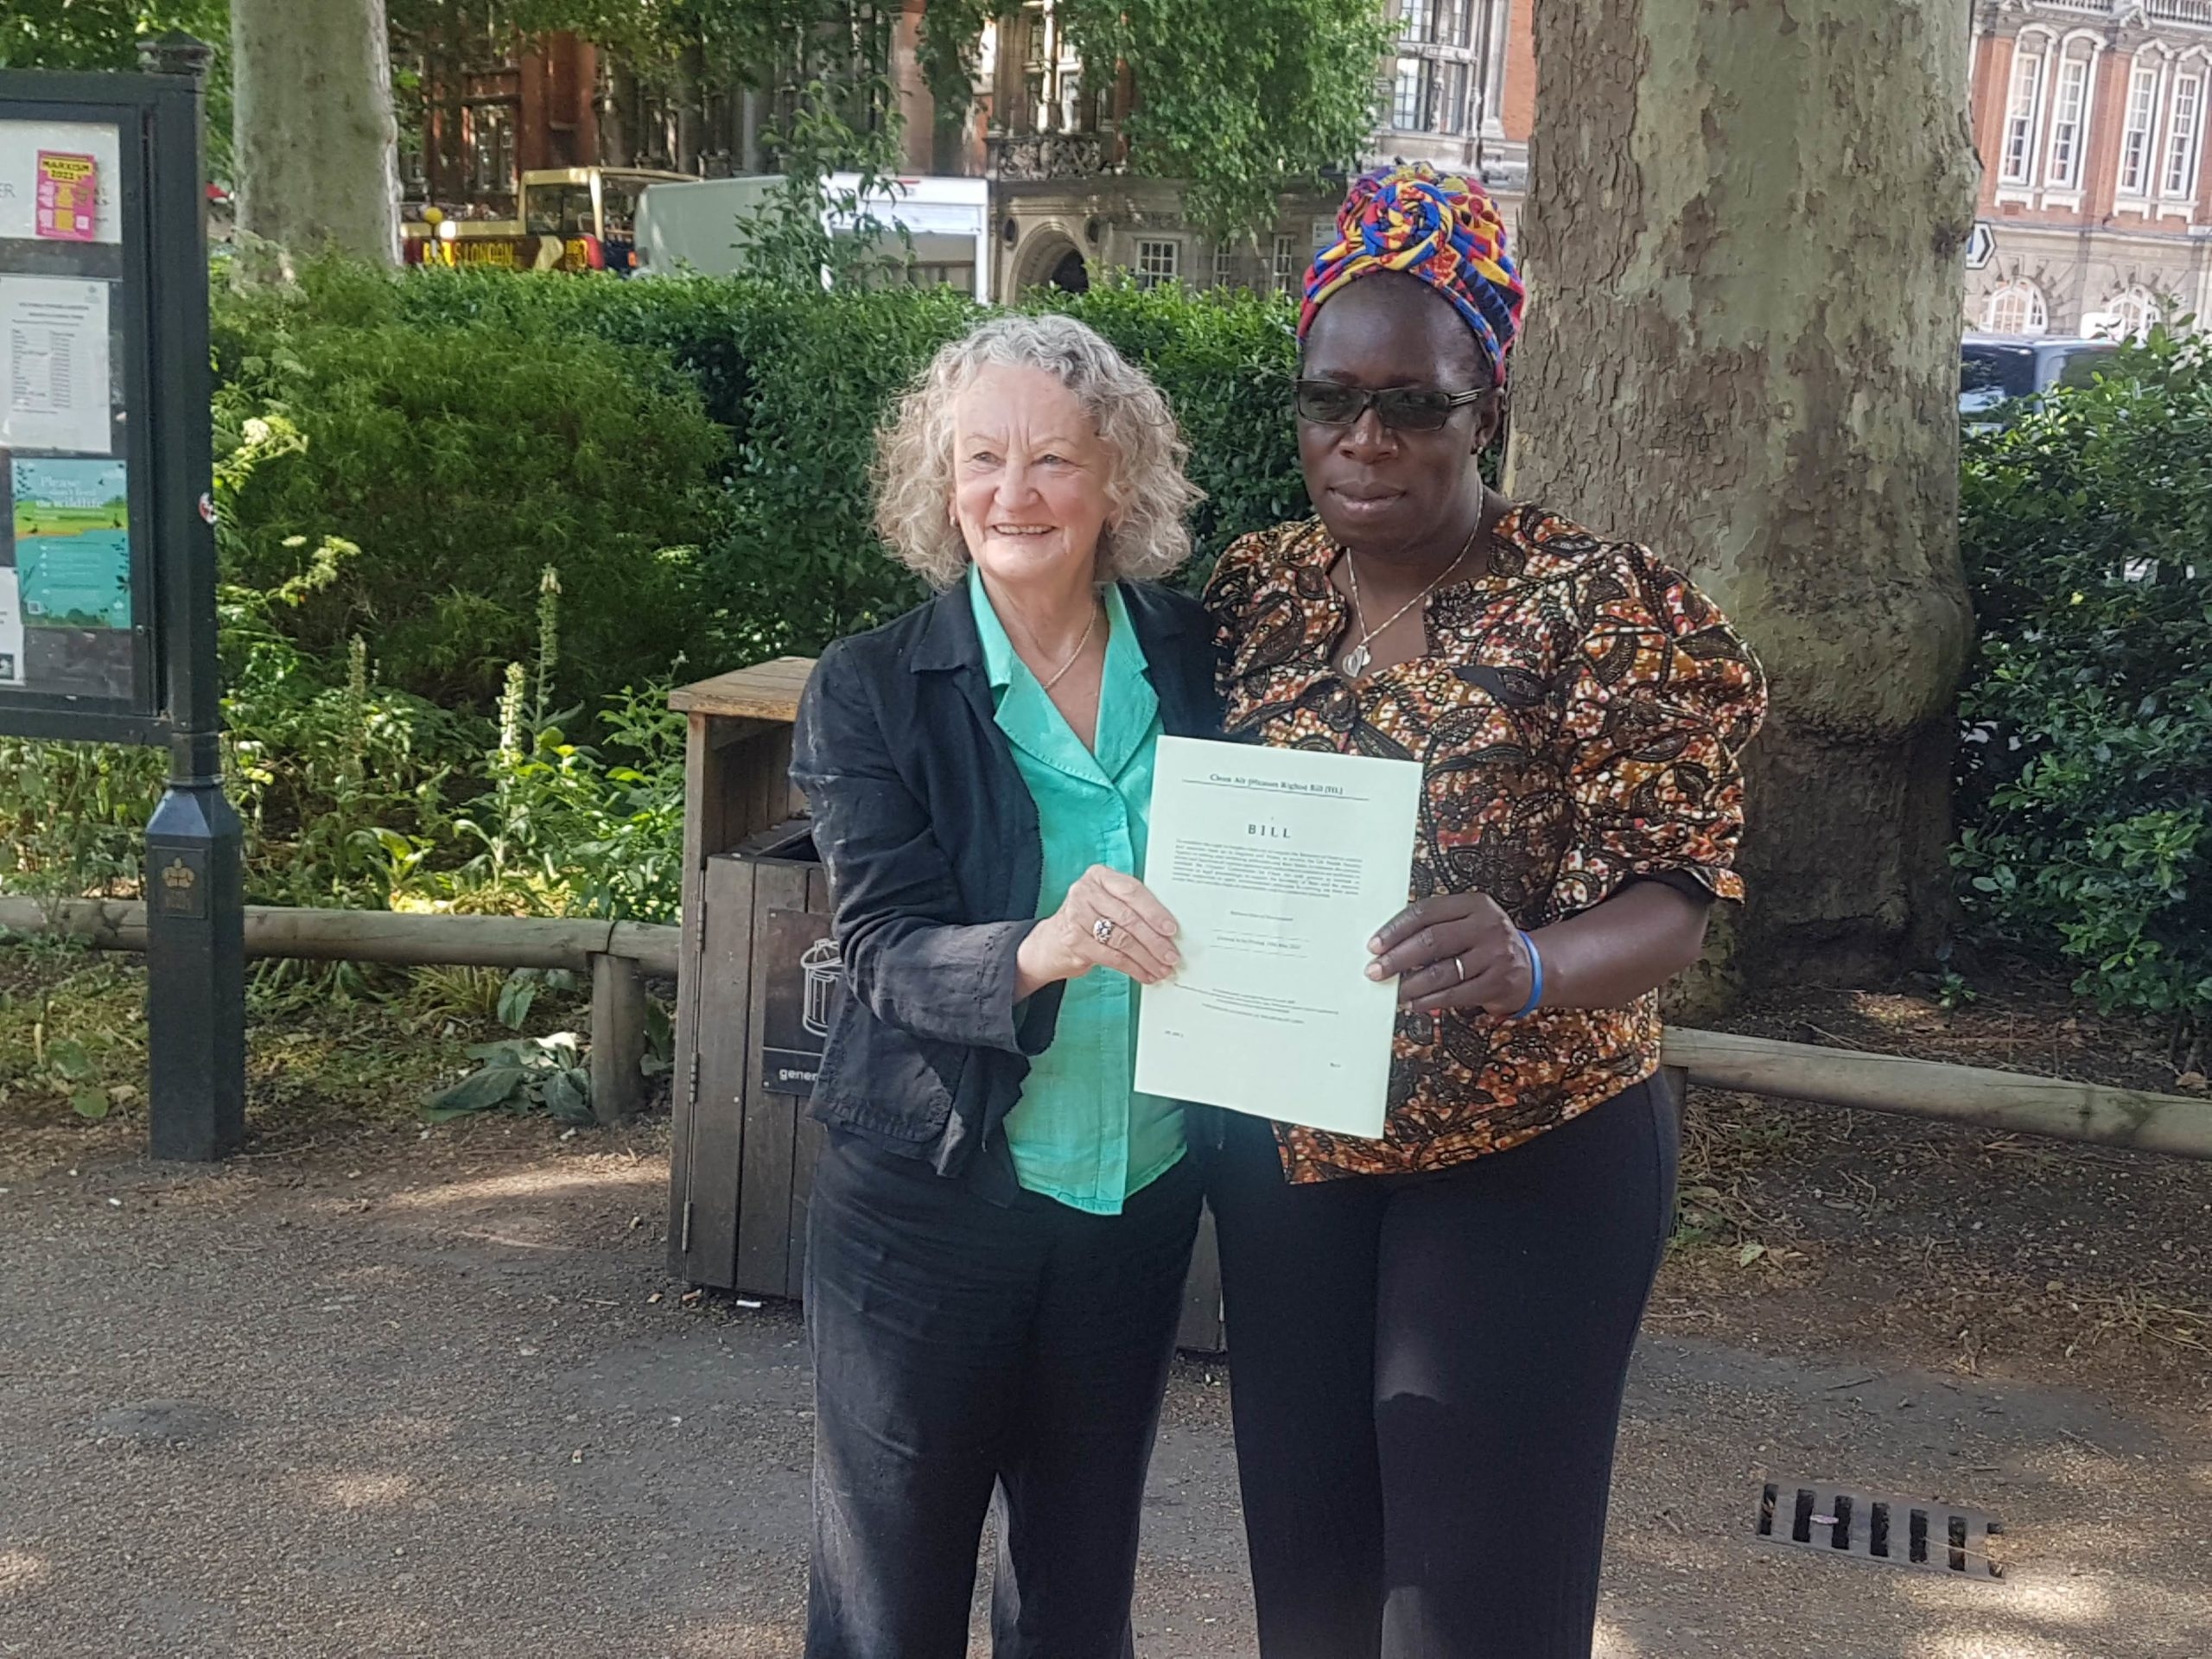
(90, 528)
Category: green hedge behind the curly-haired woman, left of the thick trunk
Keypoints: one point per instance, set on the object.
(691, 457)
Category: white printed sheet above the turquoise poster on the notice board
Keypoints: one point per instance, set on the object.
(54, 366)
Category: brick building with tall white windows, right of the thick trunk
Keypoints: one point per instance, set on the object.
(2091, 125)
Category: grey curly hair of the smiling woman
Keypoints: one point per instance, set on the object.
(1147, 490)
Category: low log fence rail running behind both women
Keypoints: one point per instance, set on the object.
(618, 952)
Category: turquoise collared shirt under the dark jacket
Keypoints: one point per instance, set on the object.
(1083, 1134)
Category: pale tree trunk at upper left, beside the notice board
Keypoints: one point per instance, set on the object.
(317, 147)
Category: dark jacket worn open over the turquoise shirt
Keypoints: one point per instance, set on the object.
(937, 862)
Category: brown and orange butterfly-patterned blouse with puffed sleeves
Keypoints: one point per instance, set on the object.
(1580, 713)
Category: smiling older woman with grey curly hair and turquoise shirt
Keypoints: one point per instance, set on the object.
(1001, 1222)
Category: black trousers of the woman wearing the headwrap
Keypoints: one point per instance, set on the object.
(1428, 1384)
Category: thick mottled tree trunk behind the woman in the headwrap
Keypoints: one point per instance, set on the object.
(1744, 242)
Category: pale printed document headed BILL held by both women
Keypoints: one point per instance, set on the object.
(1277, 866)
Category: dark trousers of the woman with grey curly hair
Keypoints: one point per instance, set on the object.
(963, 1346)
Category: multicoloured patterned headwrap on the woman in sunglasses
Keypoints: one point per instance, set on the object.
(1439, 227)
